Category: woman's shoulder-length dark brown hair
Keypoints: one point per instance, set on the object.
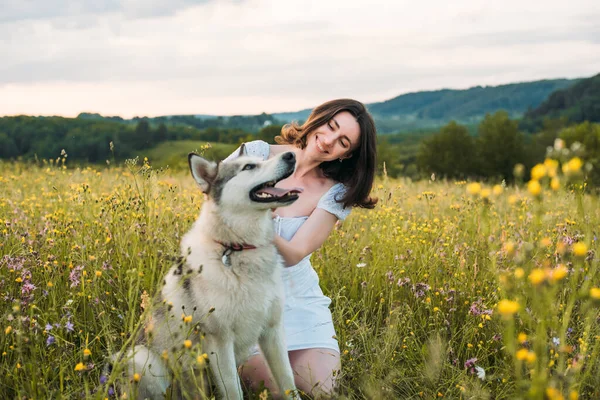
(356, 172)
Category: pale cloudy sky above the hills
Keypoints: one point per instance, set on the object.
(226, 57)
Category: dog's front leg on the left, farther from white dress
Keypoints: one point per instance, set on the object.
(222, 363)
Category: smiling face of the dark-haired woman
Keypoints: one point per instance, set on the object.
(337, 138)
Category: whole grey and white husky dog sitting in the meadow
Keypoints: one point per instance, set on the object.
(225, 294)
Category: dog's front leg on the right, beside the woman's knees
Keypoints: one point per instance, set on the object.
(272, 344)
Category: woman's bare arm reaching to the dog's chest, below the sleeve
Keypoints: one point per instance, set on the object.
(311, 235)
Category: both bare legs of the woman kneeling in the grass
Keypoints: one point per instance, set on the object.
(315, 371)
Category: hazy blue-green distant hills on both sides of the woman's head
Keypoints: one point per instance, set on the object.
(411, 112)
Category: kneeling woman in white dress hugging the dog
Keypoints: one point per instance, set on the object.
(335, 165)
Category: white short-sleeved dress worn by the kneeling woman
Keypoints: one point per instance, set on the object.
(306, 316)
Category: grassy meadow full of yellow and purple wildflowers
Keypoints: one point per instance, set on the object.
(445, 290)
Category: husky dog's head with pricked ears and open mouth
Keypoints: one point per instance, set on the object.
(246, 181)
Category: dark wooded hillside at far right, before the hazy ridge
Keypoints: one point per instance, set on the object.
(578, 103)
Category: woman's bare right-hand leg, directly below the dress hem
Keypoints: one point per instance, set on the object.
(316, 371)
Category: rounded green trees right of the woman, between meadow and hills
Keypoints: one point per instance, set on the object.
(499, 144)
